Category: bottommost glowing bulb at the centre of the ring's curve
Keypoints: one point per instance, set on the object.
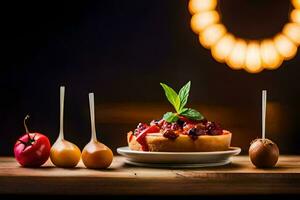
(253, 60)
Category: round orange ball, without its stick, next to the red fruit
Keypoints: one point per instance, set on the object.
(65, 154)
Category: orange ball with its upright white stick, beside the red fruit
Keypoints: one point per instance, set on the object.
(64, 153)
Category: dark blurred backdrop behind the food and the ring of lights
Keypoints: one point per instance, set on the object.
(121, 50)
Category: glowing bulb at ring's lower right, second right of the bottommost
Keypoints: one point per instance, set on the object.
(285, 47)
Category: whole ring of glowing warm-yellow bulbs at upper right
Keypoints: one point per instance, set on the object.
(238, 53)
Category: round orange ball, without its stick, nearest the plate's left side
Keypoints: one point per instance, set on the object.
(96, 155)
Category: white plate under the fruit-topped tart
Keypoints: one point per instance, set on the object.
(178, 159)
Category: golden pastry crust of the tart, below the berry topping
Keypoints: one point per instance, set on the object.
(183, 143)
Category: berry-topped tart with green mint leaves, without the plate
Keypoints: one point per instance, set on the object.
(185, 130)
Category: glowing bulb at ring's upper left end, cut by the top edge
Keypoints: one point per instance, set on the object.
(196, 6)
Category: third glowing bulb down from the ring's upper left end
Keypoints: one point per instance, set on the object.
(211, 35)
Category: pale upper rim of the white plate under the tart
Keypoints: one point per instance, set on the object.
(126, 150)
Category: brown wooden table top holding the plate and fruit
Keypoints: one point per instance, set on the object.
(239, 177)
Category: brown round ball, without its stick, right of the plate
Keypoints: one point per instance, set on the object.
(263, 153)
